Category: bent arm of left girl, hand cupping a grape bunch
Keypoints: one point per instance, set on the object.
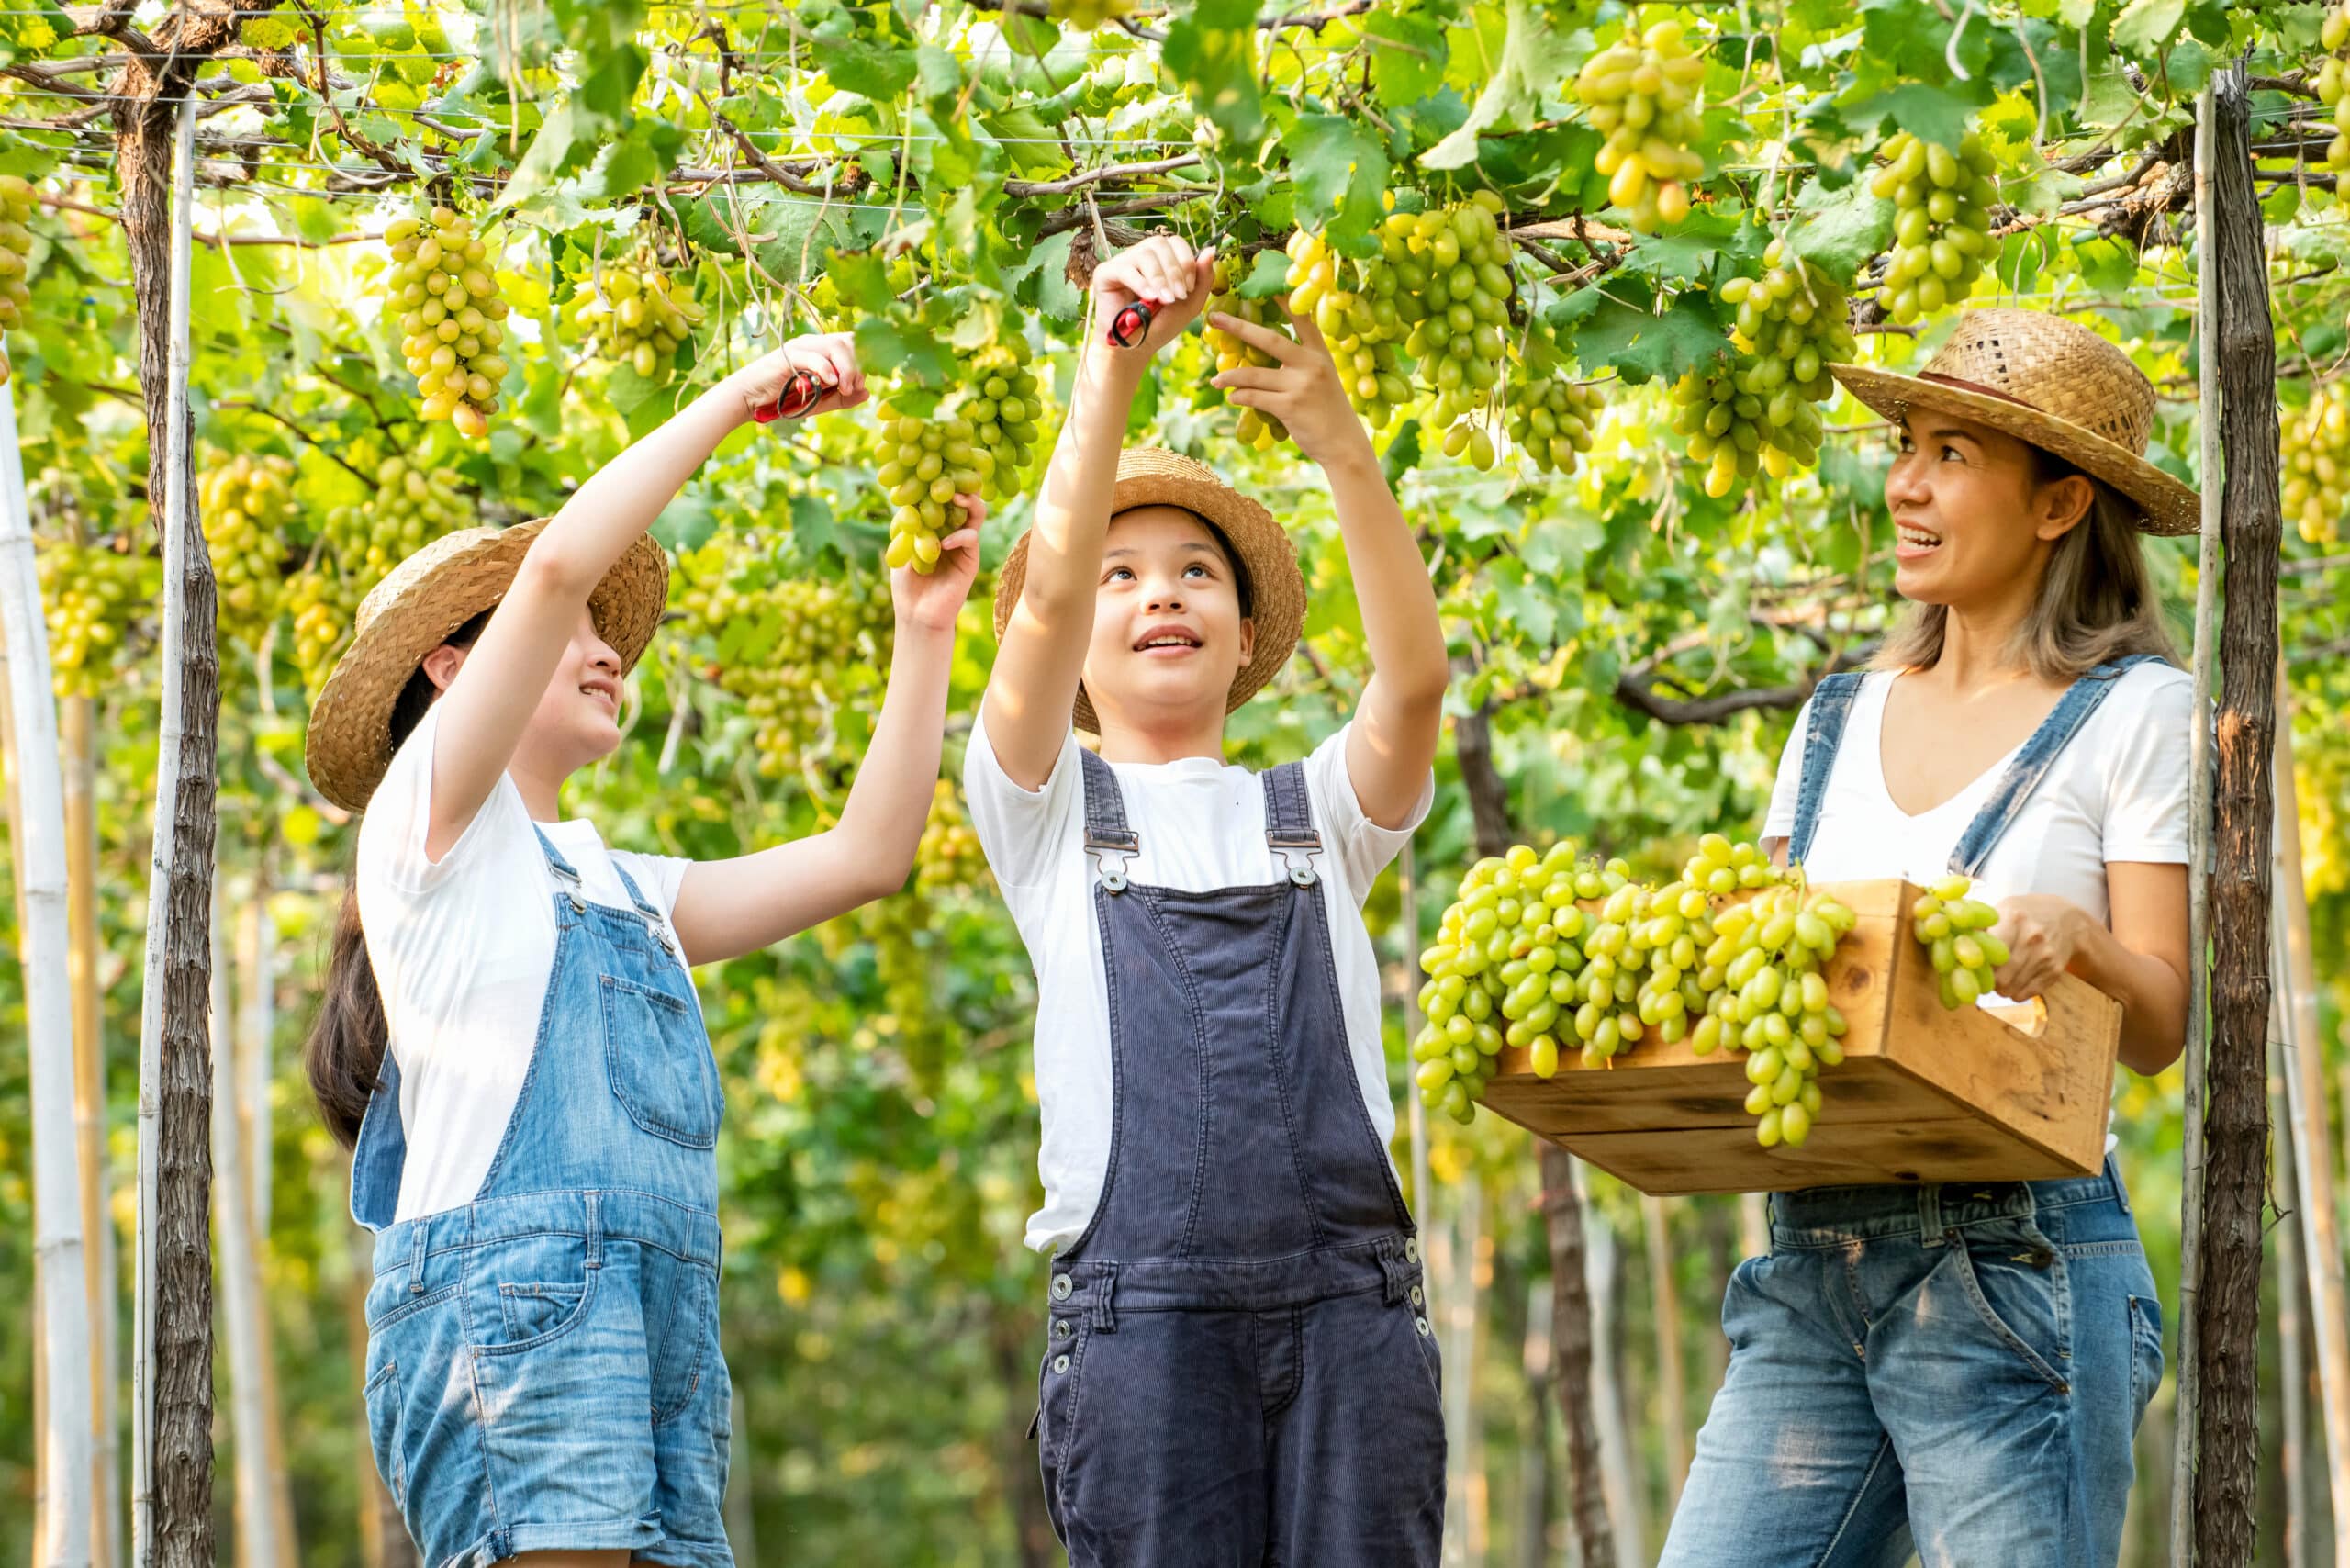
(727, 909)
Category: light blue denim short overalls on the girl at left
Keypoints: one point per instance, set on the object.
(542, 1365)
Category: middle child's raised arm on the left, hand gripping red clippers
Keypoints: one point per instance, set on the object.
(1045, 645)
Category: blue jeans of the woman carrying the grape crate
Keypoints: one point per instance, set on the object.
(1942, 1369)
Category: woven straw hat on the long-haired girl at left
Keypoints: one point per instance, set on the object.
(415, 610)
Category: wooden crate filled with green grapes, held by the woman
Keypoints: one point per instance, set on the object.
(1921, 1097)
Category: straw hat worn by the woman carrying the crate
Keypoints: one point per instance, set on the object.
(2053, 384)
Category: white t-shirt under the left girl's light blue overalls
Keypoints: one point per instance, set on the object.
(462, 953)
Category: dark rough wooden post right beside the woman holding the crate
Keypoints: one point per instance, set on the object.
(2236, 1076)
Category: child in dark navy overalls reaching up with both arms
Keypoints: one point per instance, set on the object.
(1240, 1367)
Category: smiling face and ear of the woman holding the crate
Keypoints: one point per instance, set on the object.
(1973, 516)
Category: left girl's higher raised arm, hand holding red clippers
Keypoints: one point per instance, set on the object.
(511, 664)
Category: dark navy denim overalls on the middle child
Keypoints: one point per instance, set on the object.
(1240, 1365)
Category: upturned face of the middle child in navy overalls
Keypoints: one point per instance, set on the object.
(1167, 619)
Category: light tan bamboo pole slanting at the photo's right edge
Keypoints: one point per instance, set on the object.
(2302, 1047)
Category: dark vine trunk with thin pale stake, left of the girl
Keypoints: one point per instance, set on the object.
(173, 1372)
